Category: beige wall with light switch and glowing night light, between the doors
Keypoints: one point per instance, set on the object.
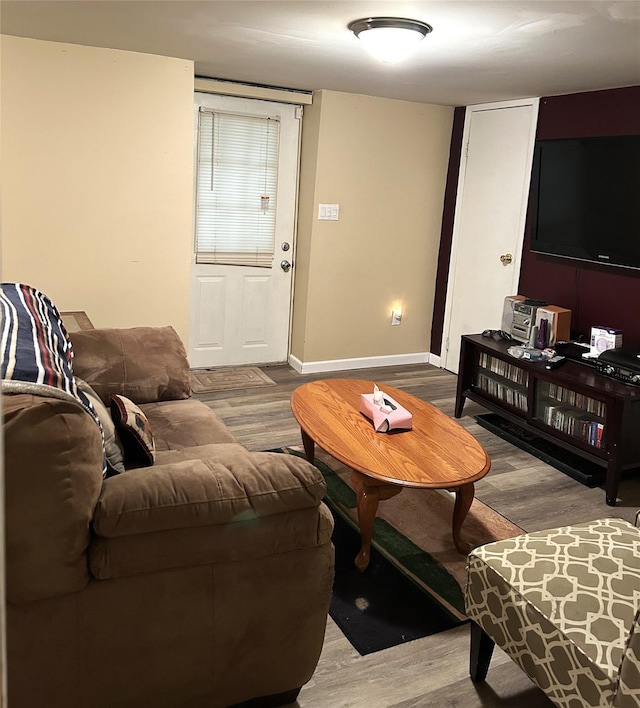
(385, 163)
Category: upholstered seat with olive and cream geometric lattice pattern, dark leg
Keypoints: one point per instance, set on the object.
(563, 604)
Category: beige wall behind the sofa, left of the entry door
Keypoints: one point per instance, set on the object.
(97, 180)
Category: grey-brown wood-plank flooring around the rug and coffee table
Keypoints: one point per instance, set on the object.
(429, 672)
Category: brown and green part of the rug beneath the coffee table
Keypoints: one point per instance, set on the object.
(413, 531)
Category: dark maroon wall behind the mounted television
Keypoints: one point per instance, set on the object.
(596, 294)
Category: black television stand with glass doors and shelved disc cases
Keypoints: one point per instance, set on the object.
(587, 414)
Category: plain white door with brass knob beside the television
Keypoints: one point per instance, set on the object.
(491, 208)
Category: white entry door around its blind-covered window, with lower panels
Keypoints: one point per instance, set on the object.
(241, 314)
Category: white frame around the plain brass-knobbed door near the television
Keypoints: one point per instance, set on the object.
(456, 236)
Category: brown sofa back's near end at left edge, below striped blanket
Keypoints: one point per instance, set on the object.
(52, 479)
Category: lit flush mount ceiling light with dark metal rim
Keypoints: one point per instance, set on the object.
(390, 39)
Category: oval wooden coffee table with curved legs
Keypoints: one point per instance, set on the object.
(438, 453)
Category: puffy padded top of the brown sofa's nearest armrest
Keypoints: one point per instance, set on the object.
(210, 485)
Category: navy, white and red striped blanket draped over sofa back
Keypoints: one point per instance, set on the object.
(37, 355)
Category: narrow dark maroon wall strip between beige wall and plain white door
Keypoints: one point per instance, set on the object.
(446, 233)
